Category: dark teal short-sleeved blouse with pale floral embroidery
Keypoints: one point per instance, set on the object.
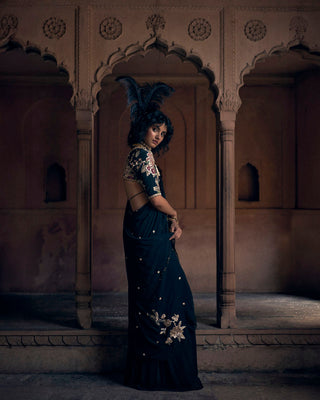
(141, 167)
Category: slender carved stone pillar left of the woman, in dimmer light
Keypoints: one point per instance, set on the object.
(84, 219)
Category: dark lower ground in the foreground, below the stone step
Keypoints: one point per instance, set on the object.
(242, 386)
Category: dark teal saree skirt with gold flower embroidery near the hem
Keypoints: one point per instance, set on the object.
(161, 333)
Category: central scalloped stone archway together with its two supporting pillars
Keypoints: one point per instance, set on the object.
(226, 287)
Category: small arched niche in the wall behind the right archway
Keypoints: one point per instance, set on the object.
(248, 184)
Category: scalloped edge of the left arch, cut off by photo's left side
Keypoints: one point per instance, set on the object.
(31, 48)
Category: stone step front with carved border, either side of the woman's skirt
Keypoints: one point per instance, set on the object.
(219, 350)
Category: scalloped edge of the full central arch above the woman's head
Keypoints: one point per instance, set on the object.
(154, 43)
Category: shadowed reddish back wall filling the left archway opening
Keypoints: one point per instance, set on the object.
(37, 124)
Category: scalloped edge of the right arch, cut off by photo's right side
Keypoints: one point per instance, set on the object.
(280, 48)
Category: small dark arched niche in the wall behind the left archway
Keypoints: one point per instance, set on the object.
(56, 185)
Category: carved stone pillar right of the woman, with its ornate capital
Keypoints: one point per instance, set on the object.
(226, 308)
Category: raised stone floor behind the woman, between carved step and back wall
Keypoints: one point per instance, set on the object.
(254, 311)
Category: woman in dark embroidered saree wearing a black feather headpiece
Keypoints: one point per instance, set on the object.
(161, 335)
